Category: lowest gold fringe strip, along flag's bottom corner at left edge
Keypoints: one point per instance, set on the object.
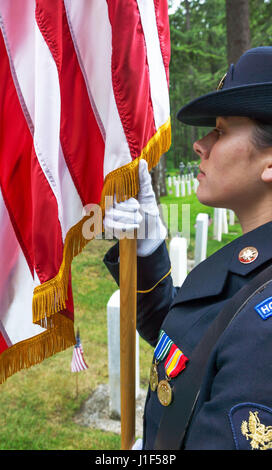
(58, 337)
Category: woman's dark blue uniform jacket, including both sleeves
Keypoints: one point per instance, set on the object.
(234, 408)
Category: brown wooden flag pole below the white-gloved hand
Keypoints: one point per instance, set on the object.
(128, 307)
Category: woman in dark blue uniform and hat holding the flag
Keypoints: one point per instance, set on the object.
(234, 406)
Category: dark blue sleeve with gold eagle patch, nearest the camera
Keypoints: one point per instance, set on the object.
(234, 409)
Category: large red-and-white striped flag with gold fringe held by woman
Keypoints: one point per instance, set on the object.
(83, 96)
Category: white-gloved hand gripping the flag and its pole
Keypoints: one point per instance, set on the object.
(142, 214)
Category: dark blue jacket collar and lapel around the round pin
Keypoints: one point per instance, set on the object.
(208, 278)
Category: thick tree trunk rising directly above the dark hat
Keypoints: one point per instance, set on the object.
(238, 29)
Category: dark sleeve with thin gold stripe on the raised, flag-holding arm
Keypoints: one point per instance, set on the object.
(155, 291)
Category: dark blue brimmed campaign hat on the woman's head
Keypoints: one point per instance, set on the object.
(245, 90)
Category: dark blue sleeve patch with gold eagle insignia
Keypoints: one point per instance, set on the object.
(251, 425)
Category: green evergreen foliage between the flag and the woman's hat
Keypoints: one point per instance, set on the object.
(199, 60)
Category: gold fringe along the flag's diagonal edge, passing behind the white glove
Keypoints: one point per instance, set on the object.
(50, 297)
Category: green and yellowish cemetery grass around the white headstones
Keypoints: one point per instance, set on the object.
(37, 405)
